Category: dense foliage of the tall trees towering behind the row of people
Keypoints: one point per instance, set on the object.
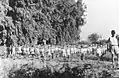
(29, 21)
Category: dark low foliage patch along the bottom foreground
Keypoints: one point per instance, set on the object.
(86, 71)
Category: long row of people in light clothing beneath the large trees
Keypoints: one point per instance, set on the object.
(53, 52)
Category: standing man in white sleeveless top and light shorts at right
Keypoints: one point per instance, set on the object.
(113, 46)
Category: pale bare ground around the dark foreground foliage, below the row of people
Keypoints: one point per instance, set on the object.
(8, 65)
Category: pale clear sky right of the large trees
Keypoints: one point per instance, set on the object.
(102, 17)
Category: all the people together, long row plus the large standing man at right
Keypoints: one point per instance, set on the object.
(68, 50)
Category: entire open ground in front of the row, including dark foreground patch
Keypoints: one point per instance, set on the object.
(35, 68)
